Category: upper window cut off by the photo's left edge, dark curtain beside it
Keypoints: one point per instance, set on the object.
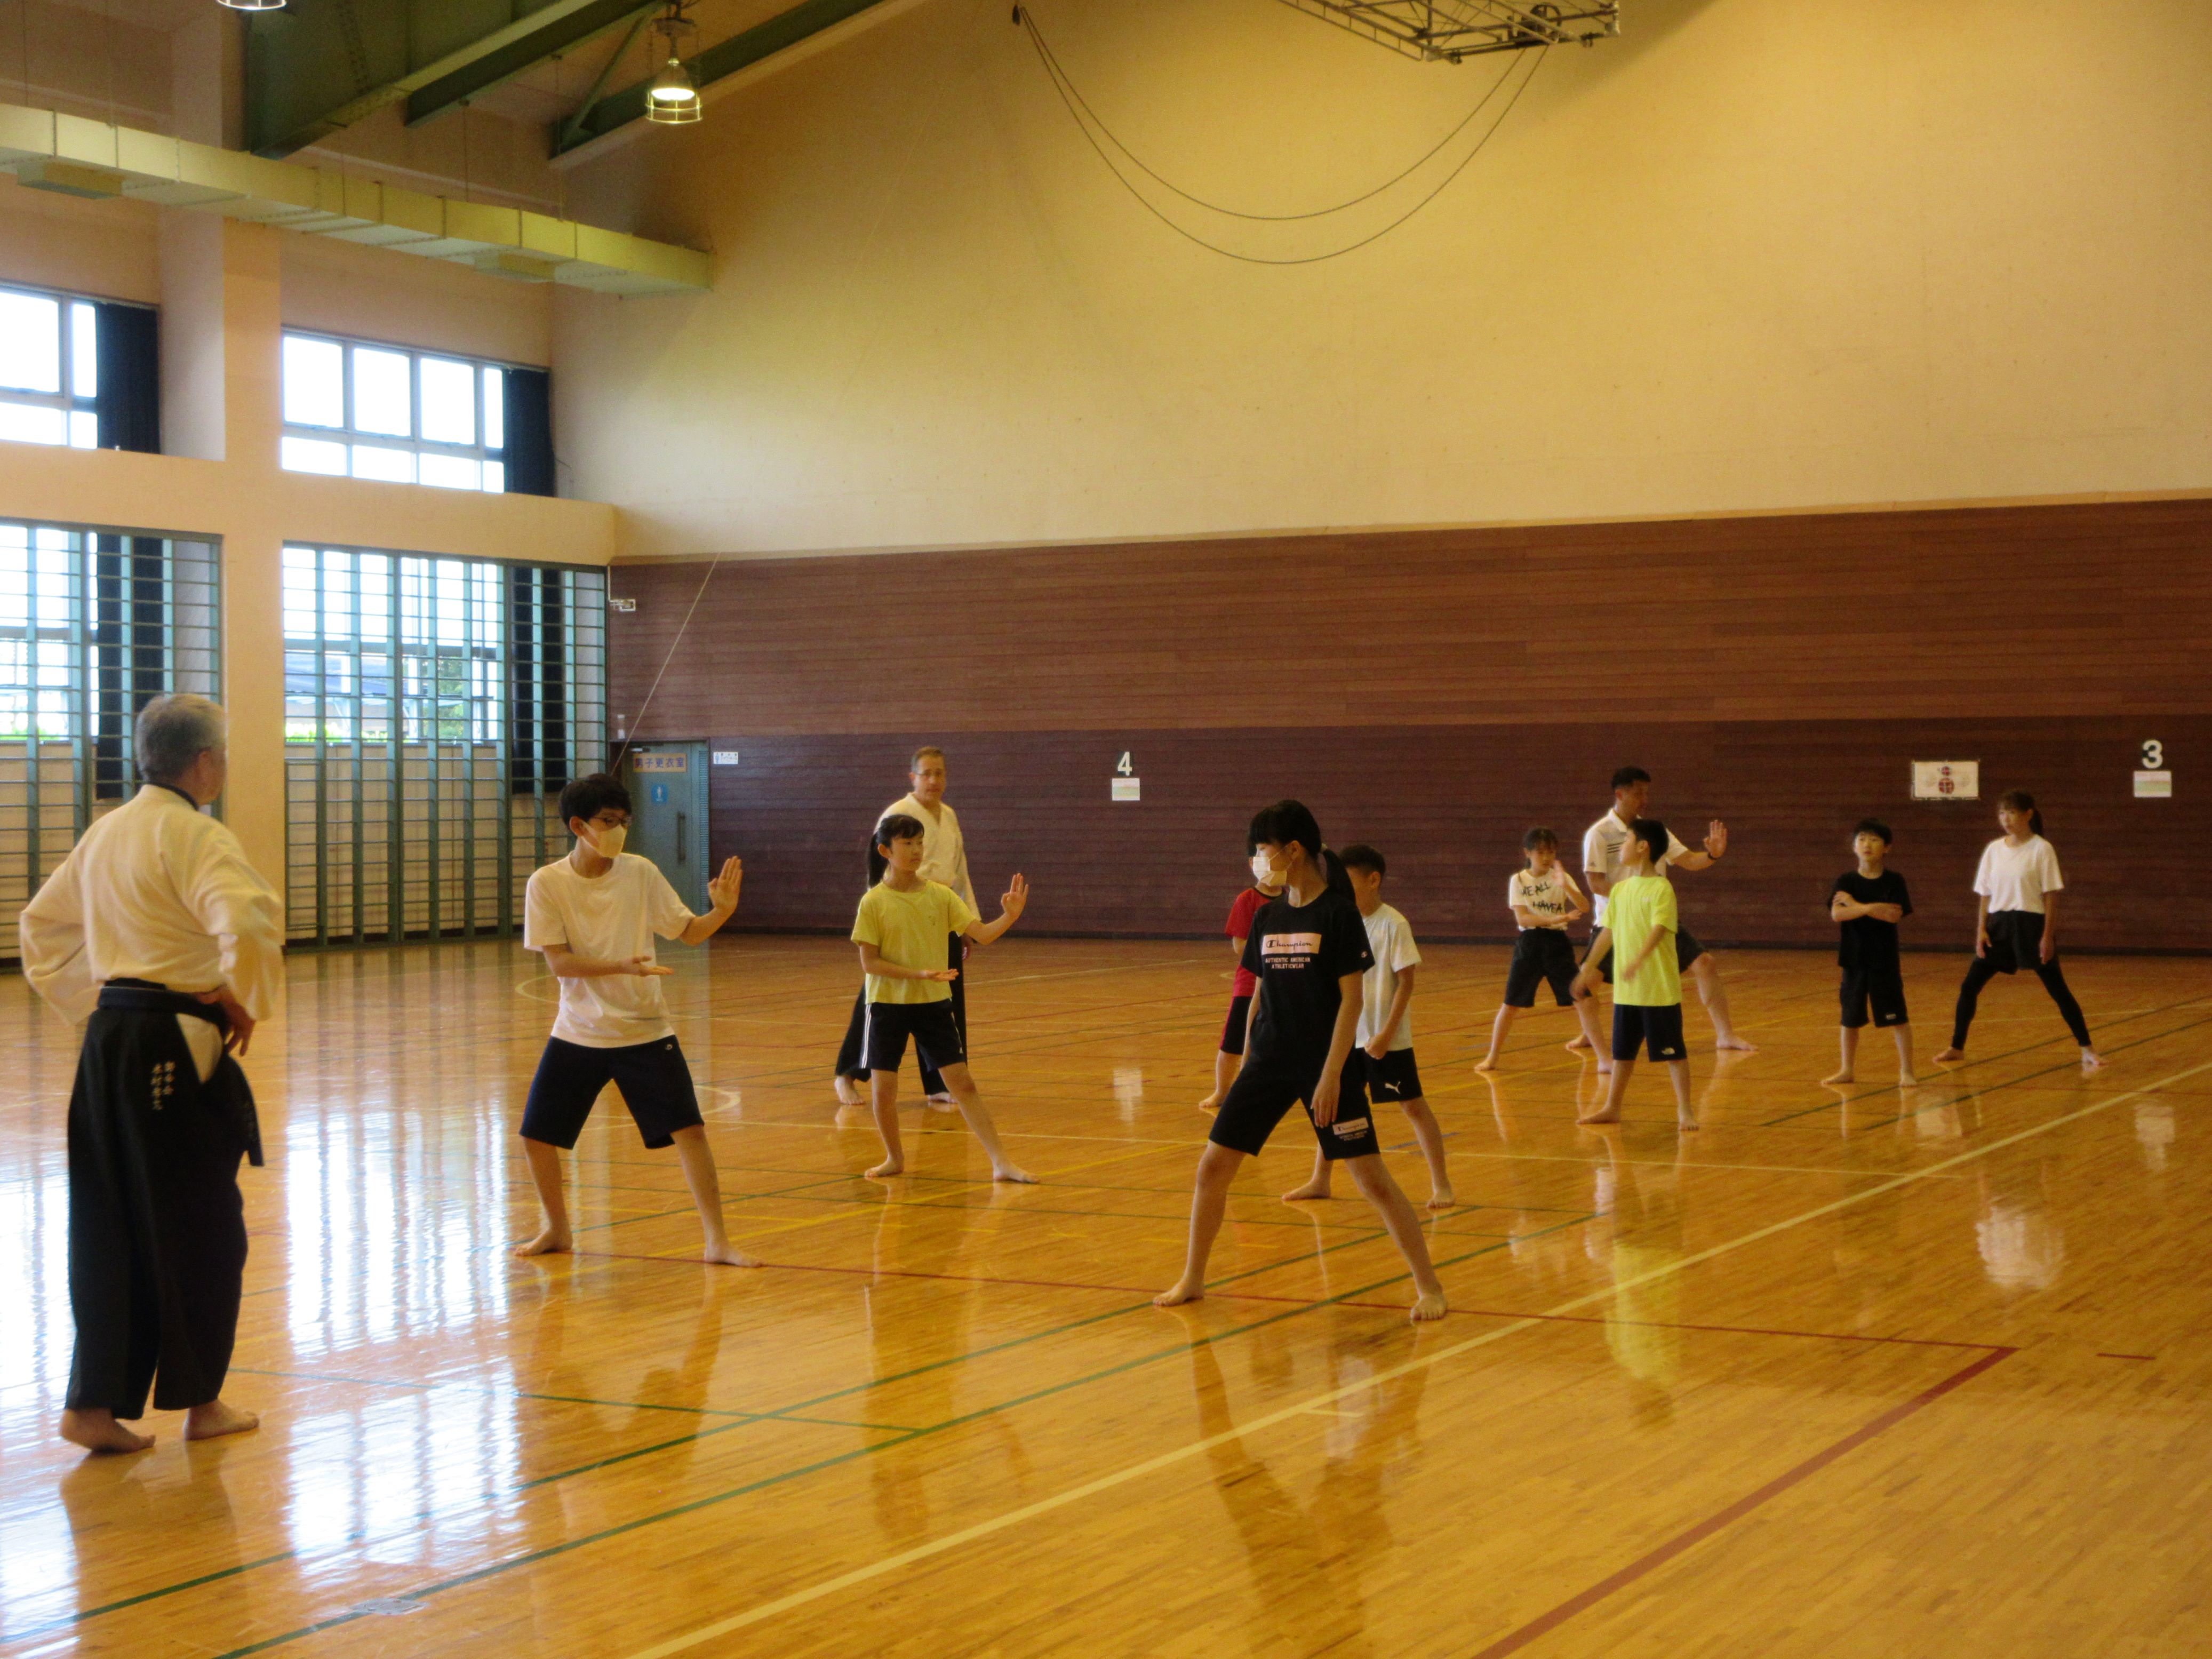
(79, 373)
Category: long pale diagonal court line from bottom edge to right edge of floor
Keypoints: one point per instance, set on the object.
(1322, 1401)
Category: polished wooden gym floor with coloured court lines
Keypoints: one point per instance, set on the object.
(1848, 1373)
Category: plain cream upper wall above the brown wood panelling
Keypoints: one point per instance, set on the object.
(1755, 255)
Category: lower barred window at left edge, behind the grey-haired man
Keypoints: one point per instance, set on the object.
(92, 627)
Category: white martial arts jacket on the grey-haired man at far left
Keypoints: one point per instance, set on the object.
(156, 893)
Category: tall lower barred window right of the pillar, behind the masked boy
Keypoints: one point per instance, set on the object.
(432, 711)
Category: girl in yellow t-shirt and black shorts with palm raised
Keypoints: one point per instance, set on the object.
(906, 930)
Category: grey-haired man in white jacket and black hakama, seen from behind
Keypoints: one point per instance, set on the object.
(169, 946)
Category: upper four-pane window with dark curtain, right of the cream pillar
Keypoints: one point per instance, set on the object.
(406, 417)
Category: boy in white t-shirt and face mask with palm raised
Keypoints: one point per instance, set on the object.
(594, 915)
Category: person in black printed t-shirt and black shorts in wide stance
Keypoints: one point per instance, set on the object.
(1311, 954)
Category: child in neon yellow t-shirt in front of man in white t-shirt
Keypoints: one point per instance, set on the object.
(1647, 985)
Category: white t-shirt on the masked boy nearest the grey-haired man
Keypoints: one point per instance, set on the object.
(607, 919)
